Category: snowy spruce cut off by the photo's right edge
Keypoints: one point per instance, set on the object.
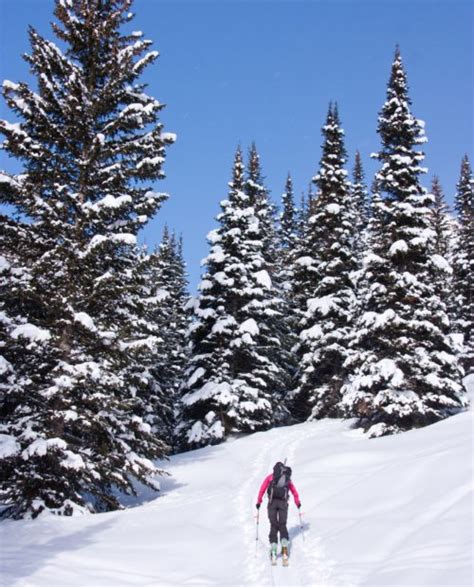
(463, 265)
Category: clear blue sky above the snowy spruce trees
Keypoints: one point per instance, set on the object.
(236, 71)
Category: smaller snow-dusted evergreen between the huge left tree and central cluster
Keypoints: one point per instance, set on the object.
(156, 338)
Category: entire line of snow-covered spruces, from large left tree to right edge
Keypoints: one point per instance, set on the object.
(355, 304)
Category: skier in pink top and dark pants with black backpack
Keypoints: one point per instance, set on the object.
(277, 486)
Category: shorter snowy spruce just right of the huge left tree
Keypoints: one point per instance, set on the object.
(152, 339)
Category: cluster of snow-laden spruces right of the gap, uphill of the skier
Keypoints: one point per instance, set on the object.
(357, 305)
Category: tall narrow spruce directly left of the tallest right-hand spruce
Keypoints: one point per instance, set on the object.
(325, 329)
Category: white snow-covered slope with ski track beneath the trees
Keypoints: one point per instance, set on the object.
(391, 511)
